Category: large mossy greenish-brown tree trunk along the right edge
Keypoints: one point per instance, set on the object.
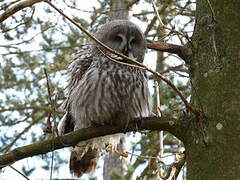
(215, 76)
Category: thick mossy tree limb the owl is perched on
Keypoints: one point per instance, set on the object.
(171, 125)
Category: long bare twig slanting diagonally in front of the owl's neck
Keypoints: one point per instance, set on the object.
(192, 109)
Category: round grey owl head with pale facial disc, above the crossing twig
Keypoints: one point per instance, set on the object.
(124, 37)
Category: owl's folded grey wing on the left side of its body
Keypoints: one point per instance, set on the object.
(77, 69)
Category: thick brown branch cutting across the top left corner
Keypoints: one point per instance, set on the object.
(17, 7)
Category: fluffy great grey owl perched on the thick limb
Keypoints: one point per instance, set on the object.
(103, 92)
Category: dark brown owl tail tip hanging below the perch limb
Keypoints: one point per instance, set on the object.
(83, 161)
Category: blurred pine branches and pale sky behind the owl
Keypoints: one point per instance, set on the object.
(39, 38)
